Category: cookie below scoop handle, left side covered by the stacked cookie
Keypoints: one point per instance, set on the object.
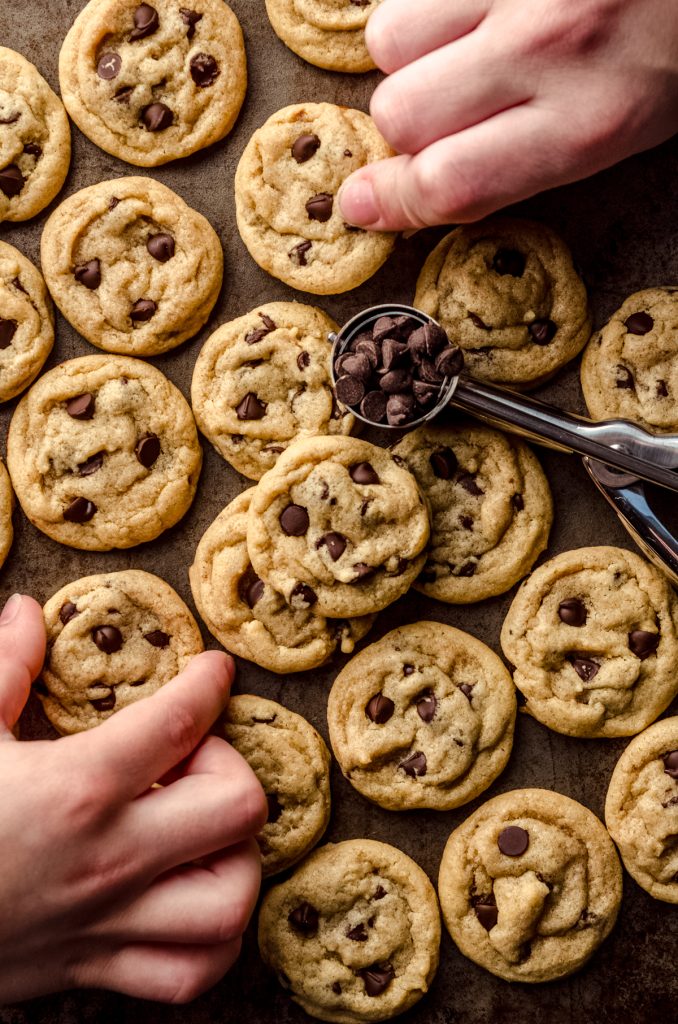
(491, 509)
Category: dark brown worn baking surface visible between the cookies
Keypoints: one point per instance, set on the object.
(621, 226)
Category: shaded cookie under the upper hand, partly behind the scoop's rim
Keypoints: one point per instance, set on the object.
(506, 291)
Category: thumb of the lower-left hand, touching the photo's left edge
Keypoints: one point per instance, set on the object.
(22, 655)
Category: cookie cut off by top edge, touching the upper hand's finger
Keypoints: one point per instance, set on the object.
(329, 34)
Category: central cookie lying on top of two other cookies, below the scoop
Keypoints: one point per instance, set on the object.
(340, 527)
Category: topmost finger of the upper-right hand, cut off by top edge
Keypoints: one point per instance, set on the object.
(395, 37)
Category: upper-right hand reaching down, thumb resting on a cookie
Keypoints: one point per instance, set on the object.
(493, 101)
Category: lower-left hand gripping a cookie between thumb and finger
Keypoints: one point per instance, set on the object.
(98, 887)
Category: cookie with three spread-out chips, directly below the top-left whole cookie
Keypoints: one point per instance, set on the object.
(132, 267)
